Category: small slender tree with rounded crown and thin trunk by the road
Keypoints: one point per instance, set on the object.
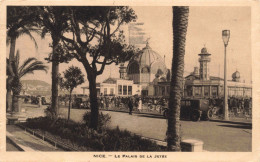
(72, 78)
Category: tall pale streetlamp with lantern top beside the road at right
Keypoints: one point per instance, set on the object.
(225, 37)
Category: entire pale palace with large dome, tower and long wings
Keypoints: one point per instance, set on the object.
(147, 75)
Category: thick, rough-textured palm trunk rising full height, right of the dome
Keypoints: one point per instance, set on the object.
(180, 23)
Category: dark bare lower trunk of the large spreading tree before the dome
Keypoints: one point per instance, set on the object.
(93, 100)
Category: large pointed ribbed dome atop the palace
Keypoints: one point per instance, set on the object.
(146, 60)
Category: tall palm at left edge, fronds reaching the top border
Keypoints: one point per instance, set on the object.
(20, 21)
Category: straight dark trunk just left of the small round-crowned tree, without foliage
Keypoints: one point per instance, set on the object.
(55, 80)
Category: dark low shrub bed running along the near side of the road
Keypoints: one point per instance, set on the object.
(82, 136)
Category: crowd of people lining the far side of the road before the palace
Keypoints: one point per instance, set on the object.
(140, 104)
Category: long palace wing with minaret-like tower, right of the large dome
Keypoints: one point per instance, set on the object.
(199, 84)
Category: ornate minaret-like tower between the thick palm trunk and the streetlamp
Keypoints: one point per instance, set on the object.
(204, 64)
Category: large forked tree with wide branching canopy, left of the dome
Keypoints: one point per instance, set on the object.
(96, 41)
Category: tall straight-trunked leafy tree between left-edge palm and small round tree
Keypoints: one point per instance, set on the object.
(54, 20)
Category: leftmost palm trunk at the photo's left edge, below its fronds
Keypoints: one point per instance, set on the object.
(10, 77)
